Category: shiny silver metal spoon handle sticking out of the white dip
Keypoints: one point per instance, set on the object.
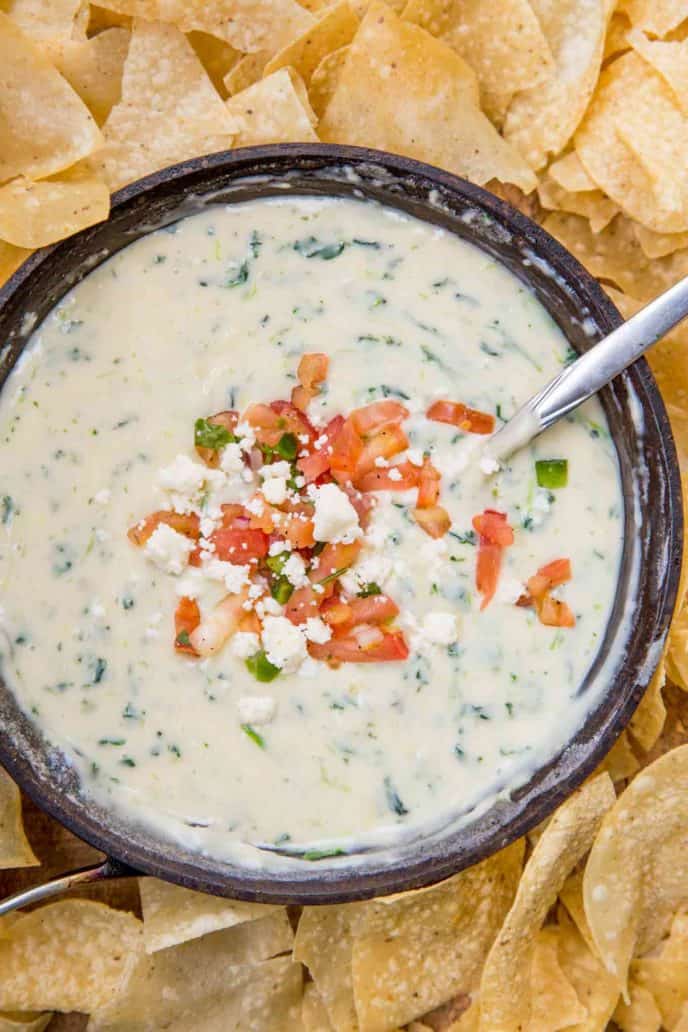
(588, 374)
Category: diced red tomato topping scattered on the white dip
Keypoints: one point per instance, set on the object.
(355, 454)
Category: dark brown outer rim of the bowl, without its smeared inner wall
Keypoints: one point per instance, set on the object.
(336, 883)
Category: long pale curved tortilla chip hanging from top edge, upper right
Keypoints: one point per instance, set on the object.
(542, 120)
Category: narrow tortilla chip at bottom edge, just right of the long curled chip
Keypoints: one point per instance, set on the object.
(554, 1002)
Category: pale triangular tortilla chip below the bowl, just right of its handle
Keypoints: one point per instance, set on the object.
(174, 915)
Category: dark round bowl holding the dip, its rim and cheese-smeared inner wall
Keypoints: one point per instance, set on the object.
(653, 515)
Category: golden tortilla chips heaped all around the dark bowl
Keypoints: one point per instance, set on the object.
(583, 107)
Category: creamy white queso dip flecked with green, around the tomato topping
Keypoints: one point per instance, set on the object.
(213, 314)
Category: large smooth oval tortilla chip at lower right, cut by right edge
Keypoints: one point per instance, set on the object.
(637, 876)
